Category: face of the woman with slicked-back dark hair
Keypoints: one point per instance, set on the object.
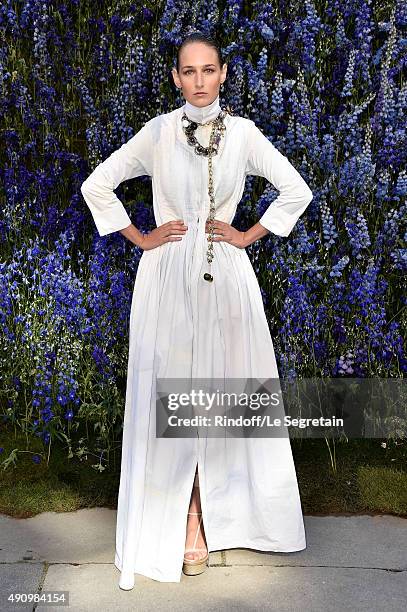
(199, 70)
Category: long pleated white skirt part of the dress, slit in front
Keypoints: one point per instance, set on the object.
(182, 326)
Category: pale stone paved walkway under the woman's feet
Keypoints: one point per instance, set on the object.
(355, 563)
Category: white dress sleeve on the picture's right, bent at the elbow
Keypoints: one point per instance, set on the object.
(264, 159)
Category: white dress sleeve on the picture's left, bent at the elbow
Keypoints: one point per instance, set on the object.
(133, 158)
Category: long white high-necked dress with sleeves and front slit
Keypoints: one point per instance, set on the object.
(184, 326)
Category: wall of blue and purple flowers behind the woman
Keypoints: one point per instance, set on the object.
(323, 80)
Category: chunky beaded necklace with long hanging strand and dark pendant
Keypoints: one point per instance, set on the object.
(217, 132)
